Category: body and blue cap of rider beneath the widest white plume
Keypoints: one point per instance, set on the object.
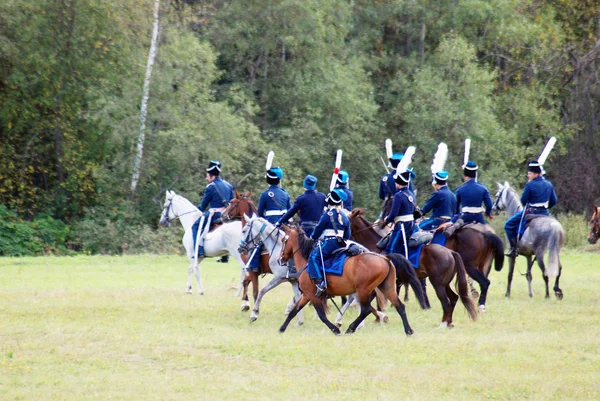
(442, 203)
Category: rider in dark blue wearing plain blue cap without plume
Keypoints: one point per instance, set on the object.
(309, 206)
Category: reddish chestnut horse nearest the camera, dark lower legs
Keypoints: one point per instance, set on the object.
(361, 275)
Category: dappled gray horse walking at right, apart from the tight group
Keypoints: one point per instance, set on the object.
(544, 234)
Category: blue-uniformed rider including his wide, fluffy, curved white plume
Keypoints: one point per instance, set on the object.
(442, 203)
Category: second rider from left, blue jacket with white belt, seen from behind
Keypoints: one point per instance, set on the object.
(273, 203)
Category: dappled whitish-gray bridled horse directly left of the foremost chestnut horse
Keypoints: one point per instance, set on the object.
(258, 230)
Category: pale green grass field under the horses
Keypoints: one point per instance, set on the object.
(121, 328)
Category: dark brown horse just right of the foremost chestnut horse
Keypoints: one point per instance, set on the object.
(436, 262)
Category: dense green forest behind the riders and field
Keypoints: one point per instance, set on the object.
(235, 79)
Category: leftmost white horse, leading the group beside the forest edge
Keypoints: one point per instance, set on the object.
(222, 241)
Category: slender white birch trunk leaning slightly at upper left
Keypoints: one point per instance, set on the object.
(144, 109)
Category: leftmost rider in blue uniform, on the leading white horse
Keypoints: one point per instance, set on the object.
(217, 195)
